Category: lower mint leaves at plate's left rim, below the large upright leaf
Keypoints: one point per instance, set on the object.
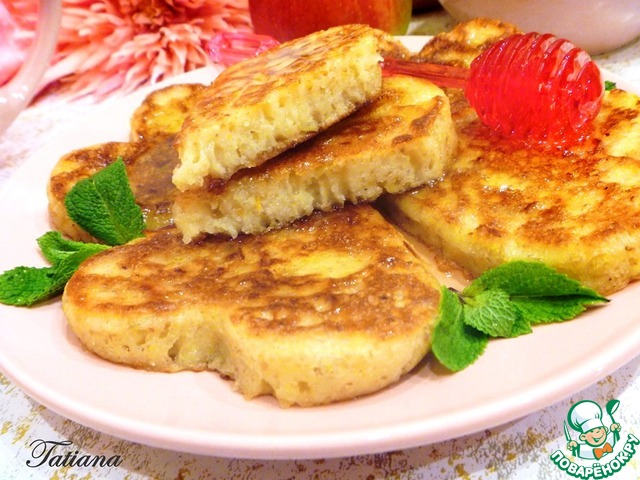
(26, 286)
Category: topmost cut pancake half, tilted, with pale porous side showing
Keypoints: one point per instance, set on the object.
(266, 104)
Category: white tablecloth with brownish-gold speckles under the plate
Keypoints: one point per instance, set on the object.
(520, 449)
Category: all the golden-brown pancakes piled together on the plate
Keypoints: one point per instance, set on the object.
(265, 259)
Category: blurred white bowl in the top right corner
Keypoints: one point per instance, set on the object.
(597, 26)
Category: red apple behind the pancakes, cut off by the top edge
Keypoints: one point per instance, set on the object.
(288, 19)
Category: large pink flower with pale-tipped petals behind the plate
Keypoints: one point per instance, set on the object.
(115, 46)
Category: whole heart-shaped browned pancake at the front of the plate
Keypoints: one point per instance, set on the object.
(331, 308)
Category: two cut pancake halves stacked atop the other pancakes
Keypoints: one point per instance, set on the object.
(244, 165)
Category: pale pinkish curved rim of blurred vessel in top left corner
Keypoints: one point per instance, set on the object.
(16, 94)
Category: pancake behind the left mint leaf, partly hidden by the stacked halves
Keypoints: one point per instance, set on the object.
(149, 159)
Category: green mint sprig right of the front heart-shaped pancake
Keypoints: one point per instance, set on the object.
(504, 302)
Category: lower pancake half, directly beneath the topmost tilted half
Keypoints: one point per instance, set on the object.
(400, 141)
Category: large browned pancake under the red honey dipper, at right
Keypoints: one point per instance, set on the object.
(578, 212)
